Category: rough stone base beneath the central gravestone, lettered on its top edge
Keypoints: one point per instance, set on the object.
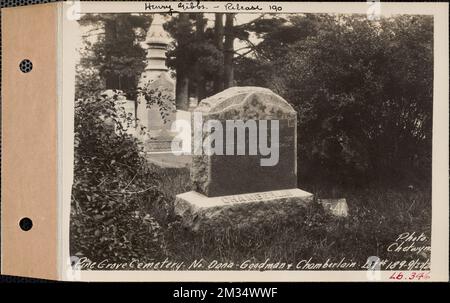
(196, 209)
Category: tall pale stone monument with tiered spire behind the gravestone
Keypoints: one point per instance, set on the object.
(156, 76)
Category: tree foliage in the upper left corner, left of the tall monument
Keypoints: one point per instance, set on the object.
(112, 49)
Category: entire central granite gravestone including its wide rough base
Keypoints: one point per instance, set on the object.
(232, 185)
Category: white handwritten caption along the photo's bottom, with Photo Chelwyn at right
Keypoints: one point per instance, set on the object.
(408, 258)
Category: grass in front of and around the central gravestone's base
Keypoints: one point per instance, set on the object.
(377, 216)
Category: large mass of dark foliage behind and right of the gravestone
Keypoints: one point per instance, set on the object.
(362, 90)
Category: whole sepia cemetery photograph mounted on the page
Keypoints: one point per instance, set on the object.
(246, 139)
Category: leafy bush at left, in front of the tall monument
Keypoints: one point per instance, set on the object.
(111, 181)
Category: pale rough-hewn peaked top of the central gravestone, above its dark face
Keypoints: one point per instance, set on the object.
(246, 103)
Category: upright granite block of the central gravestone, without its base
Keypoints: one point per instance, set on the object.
(231, 174)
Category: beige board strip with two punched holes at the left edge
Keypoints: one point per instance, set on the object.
(29, 147)
